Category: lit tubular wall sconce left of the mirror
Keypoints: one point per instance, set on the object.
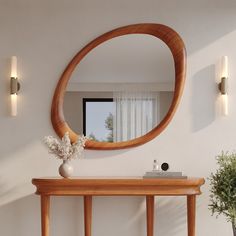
(14, 86)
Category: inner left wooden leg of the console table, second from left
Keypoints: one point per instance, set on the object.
(87, 215)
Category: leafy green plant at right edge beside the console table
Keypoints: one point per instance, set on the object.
(223, 188)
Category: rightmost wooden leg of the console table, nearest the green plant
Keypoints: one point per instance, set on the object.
(191, 206)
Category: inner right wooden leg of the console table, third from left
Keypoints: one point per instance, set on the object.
(150, 215)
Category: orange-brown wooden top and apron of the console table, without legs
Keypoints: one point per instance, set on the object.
(118, 186)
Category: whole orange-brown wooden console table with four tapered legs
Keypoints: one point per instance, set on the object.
(118, 186)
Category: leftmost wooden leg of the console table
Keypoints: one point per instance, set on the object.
(45, 207)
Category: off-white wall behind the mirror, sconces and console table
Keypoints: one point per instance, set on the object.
(45, 35)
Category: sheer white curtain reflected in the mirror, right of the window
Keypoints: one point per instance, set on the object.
(136, 113)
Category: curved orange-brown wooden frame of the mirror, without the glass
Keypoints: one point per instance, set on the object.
(162, 32)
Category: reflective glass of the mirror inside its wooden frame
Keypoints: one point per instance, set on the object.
(122, 89)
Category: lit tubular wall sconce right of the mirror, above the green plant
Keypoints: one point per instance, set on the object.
(223, 85)
